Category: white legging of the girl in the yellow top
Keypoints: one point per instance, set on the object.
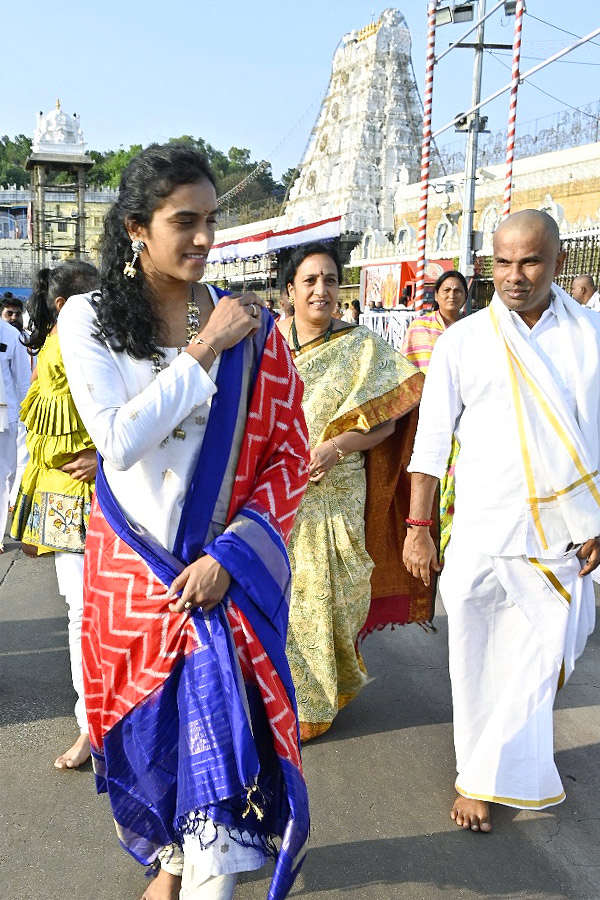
(69, 572)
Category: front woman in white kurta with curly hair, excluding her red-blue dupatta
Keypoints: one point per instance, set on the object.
(143, 389)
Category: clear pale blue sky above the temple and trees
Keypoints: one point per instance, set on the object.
(252, 74)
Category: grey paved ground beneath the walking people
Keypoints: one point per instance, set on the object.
(380, 782)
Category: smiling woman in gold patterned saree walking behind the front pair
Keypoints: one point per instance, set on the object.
(356, 388)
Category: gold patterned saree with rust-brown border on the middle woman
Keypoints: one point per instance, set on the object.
(354, 381)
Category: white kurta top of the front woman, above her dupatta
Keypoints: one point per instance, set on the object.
(128, 412)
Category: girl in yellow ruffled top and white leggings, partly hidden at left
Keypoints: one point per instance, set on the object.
(53, 504)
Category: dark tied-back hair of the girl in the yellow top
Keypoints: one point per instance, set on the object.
(72, 277)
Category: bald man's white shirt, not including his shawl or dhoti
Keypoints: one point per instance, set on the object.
(466, 392)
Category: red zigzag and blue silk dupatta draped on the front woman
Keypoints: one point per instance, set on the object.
(196, 719)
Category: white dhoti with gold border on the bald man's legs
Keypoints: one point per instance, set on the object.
(515, 631)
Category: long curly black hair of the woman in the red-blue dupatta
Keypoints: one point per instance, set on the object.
(124, 313)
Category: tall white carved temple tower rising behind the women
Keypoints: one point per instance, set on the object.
(367, 136)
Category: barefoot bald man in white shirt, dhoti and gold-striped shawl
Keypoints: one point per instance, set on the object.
(519, 385)
